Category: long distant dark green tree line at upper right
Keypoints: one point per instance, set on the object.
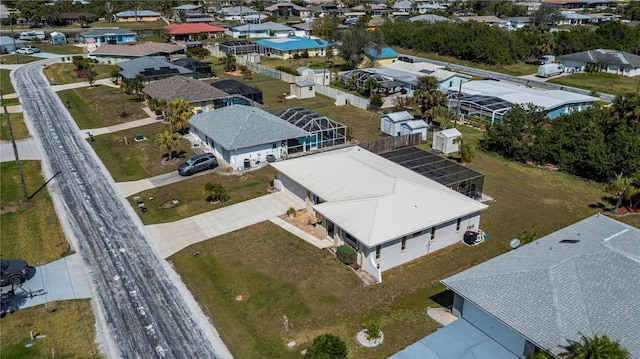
(481, 43)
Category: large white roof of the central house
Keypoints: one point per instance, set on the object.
(372, 198)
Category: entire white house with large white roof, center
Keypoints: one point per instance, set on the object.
(387, 213)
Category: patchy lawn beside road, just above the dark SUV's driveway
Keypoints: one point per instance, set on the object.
(137, 160)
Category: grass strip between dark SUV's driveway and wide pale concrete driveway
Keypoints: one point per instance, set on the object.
(240, 188)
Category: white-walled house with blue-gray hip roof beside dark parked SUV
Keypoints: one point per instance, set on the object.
(244, 135)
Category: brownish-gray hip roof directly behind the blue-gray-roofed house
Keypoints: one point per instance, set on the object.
(187, 88)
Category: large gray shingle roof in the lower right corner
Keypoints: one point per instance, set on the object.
(550, 291)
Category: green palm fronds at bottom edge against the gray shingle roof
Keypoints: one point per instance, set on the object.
(598, 347)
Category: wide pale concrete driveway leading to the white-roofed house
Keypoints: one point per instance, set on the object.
(170, 238)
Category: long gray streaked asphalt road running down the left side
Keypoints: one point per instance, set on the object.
(143, 309)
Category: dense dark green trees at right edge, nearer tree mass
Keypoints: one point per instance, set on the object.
(597, 144)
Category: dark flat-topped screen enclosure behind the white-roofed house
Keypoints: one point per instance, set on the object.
(441, 170)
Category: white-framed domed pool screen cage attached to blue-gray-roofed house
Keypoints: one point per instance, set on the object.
(324, 132)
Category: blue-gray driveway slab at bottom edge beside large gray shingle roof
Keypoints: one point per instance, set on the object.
(455, 341)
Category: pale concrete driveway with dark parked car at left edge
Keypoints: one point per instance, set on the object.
(63, 279)
